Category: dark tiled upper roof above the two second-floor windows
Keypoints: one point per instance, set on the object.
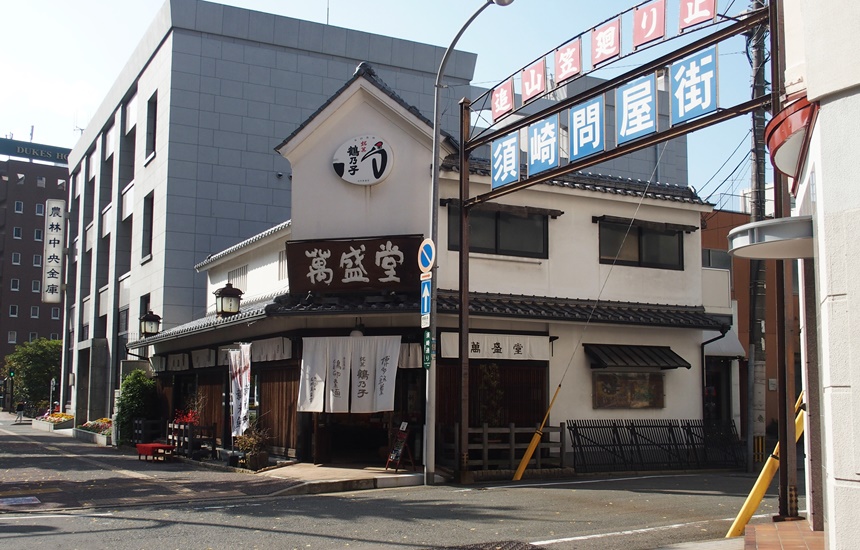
(601, 183)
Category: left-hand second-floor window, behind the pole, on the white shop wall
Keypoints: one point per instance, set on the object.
(501, 232)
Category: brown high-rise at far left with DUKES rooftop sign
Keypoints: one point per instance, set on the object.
(30, 175)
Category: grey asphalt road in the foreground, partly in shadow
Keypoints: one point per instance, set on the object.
(109, 504)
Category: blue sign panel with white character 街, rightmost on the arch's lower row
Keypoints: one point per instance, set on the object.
(694, 85)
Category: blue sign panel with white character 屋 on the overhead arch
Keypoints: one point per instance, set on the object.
(636, 108)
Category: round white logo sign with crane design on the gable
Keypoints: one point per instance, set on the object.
(364, 160)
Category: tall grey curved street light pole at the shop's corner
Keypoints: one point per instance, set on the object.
(430, 424)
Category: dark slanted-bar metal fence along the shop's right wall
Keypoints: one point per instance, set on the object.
(629, 445)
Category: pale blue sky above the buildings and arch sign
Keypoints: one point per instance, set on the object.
(49, 89)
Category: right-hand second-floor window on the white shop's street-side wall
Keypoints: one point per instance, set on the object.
(641, 246)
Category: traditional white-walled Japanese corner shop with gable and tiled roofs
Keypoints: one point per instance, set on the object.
(331, 297)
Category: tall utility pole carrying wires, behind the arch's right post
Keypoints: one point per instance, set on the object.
(756, 371)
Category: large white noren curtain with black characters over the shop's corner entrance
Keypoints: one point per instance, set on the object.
(357, 374)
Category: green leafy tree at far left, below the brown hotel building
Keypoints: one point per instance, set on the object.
(34, 364)
